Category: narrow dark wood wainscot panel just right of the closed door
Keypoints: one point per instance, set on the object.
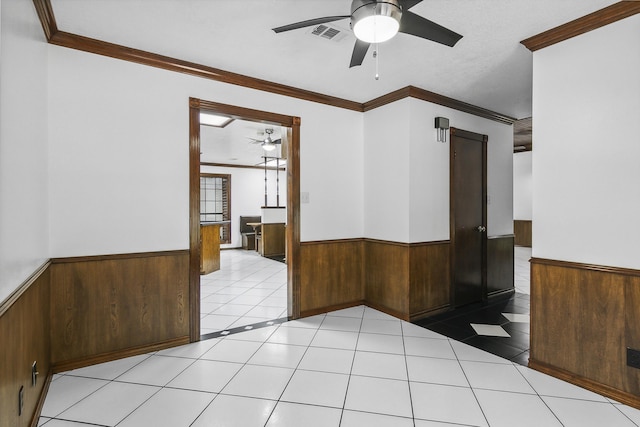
(500, 265)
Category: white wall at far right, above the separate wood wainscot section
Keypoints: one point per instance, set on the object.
(586, 105)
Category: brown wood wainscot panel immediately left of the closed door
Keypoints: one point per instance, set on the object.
(429, 279)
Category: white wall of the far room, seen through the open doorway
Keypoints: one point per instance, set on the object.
(247, 194)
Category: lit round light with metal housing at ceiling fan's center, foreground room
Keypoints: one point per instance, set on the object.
(376, 22)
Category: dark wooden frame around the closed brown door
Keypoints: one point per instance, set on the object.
(483, 139)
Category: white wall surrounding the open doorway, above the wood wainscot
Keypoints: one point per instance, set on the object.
(119, 156)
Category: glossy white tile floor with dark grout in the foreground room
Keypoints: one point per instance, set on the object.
(351, 368)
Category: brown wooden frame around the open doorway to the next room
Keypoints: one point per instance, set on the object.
(293, 202)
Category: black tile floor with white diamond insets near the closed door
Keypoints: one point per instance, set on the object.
(456, 324)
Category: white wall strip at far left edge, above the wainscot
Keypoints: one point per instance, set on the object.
(24, 213)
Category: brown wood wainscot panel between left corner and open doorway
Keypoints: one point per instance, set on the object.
(111, 305)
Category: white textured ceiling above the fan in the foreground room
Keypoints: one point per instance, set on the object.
(488, 67)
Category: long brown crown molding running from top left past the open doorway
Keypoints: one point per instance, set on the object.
(99, 47)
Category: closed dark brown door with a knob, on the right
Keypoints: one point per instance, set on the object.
(468, 216)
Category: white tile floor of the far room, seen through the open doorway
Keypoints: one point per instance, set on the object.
(247, 289)
